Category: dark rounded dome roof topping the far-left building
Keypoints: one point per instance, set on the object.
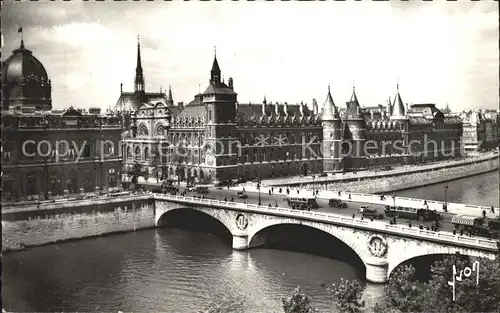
(22, 64)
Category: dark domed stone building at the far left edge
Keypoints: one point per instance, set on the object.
(50, 153)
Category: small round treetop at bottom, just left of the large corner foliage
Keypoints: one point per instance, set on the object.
(347, 296)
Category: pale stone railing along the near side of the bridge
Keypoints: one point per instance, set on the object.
(342, 220)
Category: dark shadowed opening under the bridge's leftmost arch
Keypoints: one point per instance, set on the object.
(196, 219)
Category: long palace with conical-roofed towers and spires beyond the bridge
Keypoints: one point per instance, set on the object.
(216, 138)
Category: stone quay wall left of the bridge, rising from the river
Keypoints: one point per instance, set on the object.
(22, 228)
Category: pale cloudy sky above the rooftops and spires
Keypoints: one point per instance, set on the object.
(439, 52)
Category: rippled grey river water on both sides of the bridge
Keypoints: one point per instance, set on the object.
(175, 270)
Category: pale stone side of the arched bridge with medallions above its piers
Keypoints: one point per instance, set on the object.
(381, 247)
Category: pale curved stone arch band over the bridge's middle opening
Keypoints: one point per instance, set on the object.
(339, 233)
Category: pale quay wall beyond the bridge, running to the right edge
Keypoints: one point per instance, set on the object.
(407, 180)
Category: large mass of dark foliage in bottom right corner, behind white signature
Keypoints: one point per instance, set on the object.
(403, 294)
